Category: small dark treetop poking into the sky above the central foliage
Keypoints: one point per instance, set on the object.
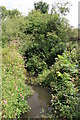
(42, 6)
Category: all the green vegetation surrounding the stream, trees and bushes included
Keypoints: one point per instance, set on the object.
(50, 46)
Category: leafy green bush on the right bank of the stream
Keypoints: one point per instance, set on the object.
(64, 81)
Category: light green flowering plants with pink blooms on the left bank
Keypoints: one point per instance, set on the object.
(14, 89)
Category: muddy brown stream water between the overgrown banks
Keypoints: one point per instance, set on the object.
(39, 102)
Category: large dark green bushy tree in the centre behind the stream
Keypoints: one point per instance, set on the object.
(46, 35)
